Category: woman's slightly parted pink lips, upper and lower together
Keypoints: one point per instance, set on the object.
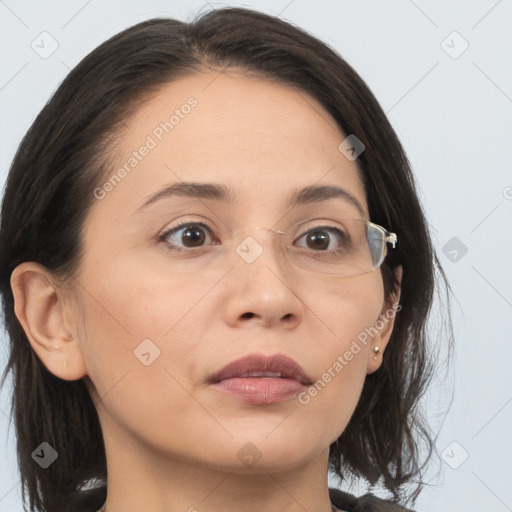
(261, 379)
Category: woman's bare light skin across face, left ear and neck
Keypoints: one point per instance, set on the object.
(172, 442)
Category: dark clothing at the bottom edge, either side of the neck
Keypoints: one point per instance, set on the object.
(93, 500)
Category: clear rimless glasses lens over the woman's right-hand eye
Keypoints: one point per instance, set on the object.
(347, 248)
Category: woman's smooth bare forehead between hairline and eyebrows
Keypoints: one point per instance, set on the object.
(258, 136)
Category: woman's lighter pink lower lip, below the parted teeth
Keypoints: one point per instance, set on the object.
(260, 390)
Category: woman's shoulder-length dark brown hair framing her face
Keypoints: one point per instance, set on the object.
(65, 155)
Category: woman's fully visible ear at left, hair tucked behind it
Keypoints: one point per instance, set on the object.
(41, 310)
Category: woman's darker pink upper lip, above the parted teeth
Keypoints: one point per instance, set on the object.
(258, 363)
